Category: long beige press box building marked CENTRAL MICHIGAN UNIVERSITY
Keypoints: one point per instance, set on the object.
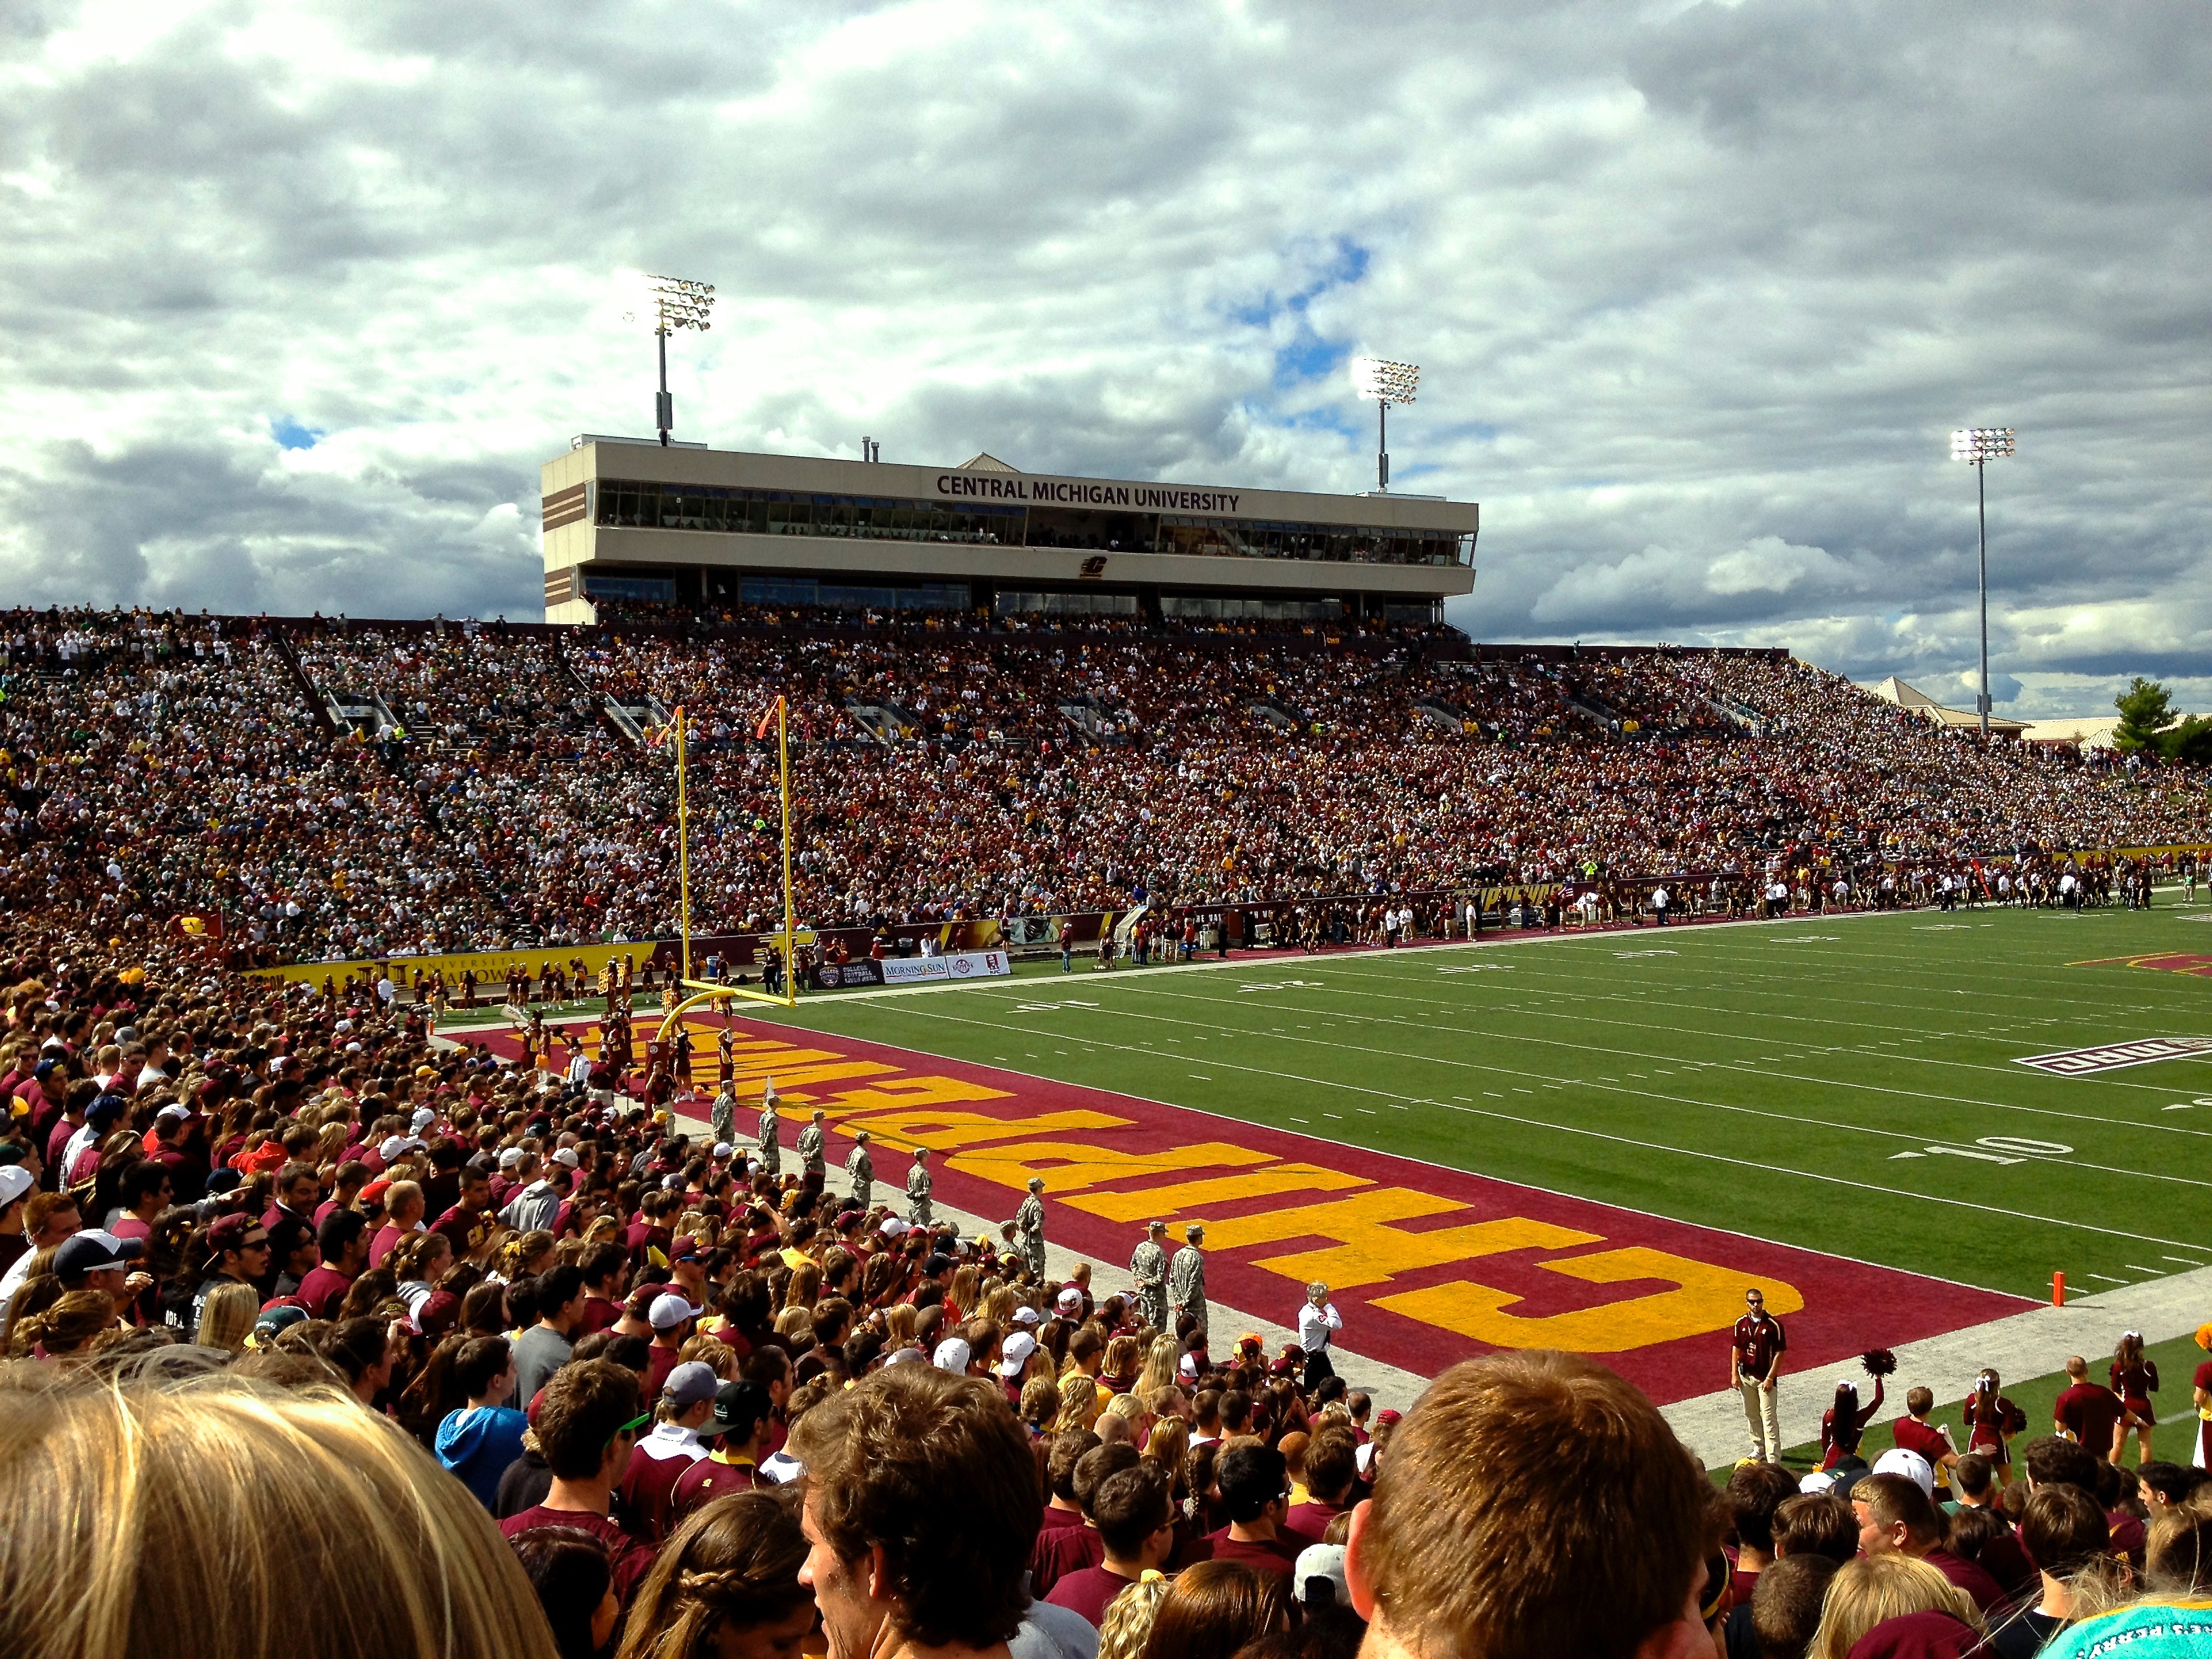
(700, 528)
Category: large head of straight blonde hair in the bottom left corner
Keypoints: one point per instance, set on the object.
(198, 1516)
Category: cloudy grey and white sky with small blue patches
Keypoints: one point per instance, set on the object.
(295, 298)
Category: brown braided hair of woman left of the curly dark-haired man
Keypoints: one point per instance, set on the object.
(733, 1565)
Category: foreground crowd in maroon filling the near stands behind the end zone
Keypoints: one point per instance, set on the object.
(328, 1339)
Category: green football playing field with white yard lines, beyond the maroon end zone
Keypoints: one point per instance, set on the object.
(1841, 1085)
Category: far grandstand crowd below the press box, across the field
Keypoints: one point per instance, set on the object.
(165, 764)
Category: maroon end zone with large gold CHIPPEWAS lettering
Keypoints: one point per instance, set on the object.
(1426, 1264)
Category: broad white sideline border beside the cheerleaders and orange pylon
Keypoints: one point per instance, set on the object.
(2021, 1346)
